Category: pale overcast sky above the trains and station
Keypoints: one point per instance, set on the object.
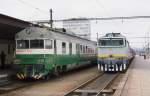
(31, 10)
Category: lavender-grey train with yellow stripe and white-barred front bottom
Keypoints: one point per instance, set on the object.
(114, 52)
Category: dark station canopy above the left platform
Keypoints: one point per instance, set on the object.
(9, 26)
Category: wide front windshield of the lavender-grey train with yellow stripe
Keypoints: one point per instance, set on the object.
(116, 42)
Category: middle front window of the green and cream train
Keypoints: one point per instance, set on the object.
(36, 44)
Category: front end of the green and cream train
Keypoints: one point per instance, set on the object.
(31, 55)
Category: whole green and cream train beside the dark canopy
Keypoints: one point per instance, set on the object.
(43, 51)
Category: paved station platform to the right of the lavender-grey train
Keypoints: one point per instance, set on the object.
(138, 82)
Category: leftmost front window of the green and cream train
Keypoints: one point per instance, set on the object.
(22, 44)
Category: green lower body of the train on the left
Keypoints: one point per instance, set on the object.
(39, 65)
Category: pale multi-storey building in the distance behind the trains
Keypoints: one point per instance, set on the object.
(80, 27)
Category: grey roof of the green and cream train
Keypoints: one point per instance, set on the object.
(38, 32)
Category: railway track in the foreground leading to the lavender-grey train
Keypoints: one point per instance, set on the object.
(94, 87)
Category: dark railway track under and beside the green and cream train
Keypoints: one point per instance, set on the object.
(16, 85)
